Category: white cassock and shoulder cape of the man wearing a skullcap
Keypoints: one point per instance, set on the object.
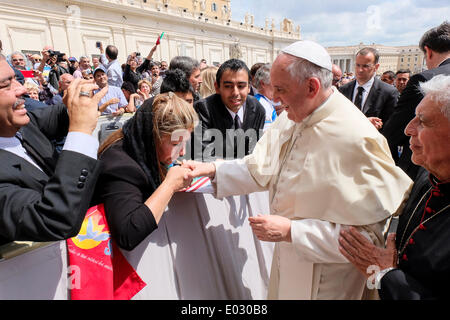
(332, 169)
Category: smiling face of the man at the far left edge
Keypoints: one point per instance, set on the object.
(13, 114)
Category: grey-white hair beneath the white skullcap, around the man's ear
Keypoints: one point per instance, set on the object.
(302, 69)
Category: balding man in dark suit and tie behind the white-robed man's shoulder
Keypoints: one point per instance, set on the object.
(373, 97)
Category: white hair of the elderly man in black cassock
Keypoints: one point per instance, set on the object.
(438, 88)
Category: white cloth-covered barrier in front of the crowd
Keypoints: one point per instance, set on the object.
(203, 248)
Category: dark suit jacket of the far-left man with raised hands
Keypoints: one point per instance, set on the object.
(33, 205)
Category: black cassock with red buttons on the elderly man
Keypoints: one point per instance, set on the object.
(424, 262)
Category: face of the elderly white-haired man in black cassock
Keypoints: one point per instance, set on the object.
(429, 134)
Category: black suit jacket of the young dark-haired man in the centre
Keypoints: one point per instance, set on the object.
(214, 115)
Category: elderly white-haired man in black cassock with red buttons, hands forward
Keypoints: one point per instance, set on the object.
(416, 261)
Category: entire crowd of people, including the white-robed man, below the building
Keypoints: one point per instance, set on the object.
(339, 157)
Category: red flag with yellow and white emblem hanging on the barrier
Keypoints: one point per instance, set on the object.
(97, 268)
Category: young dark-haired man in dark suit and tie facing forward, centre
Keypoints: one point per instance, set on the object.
(231, 120)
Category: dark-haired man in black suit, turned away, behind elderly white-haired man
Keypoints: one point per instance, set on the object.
(435, 44)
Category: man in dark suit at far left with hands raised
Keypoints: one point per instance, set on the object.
(44, 197)
